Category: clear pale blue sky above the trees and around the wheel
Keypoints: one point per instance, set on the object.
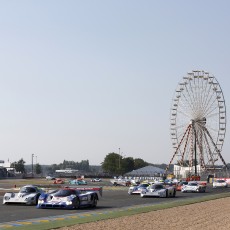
(80, 79)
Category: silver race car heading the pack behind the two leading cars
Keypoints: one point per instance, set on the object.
(158, 190)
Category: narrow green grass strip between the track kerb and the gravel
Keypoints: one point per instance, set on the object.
(117, 213)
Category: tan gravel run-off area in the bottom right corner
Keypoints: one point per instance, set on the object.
(209, 215)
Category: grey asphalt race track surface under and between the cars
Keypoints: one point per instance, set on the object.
(116, 197)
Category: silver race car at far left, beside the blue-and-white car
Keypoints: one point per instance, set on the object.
(27, 195)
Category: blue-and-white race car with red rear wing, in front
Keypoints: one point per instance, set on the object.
(70, 198)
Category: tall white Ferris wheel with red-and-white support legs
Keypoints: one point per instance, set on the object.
(198, 121)
